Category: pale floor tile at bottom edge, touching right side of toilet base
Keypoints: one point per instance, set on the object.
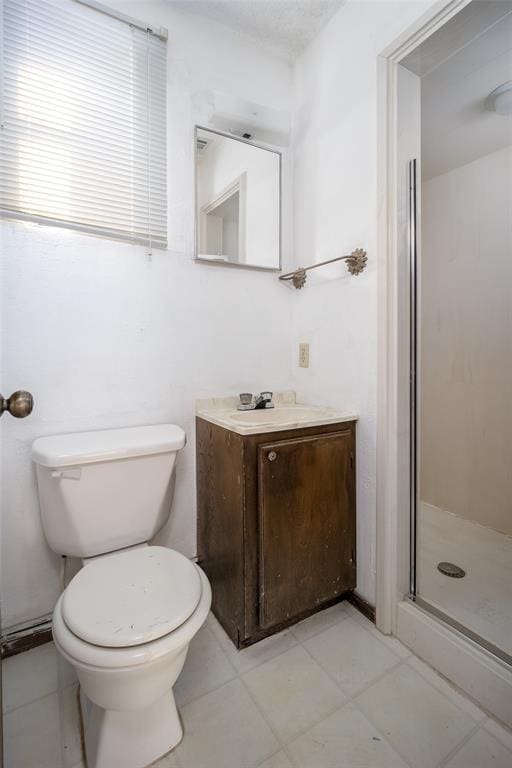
(224, 728)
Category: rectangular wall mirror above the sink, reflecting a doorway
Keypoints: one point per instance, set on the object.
(238, 201)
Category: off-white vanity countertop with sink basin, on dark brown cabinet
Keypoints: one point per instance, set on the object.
(287, 414)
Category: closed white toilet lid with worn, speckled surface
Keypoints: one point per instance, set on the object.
(132, 597)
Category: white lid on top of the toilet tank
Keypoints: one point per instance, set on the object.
(106, 445)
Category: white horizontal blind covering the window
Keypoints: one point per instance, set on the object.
(83, 137)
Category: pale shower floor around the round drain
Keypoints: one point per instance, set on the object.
(482, 600)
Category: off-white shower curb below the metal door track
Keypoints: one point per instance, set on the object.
(478, 673)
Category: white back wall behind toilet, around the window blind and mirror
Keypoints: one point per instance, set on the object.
(104, 336)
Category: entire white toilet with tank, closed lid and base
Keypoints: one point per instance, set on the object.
(126, 619)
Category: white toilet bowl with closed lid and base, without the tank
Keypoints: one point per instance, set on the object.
(128, 709)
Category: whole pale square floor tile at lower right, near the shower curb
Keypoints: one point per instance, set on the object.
(419, 721)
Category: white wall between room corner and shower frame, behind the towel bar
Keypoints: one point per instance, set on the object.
(335, 135)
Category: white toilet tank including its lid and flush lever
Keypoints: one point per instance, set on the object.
(106, 490)
